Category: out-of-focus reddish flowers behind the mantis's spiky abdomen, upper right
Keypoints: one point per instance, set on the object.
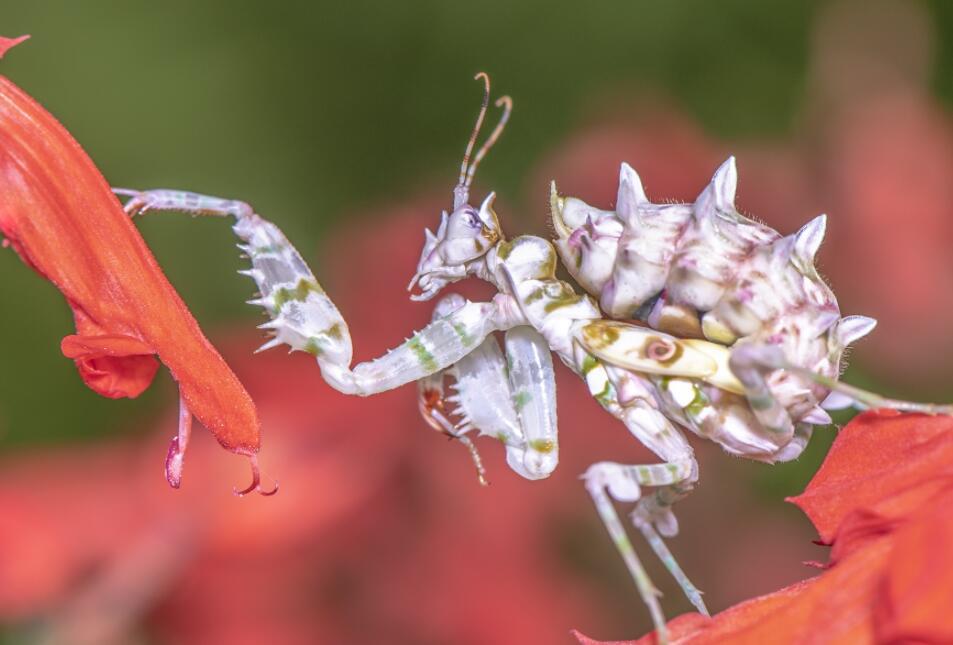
(872, 148)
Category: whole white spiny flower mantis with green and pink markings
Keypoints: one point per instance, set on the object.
(735, 336)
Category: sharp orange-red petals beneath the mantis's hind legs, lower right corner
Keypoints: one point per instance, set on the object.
(882, 499)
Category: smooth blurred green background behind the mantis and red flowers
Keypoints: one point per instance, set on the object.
(315, 112)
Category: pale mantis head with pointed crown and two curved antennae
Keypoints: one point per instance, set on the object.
(467, 233)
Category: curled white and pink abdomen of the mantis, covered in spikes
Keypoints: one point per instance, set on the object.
(704, 271)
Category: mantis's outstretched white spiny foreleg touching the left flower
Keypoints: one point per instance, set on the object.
(303, 317)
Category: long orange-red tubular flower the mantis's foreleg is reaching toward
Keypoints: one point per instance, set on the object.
(61, 217)
